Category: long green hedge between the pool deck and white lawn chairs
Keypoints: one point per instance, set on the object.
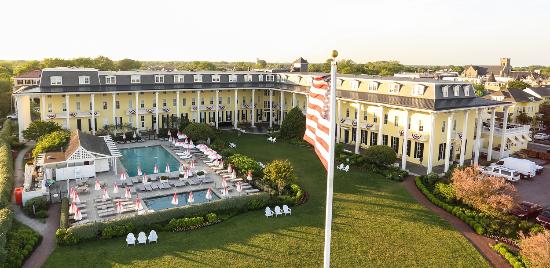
(146, 222)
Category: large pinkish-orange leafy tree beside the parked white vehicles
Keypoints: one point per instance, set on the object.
(491, 195)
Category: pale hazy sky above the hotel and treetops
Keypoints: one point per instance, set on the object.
(412, 32)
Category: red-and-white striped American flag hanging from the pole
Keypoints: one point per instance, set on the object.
(318, 118)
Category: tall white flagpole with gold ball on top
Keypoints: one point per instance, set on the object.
(330, 170)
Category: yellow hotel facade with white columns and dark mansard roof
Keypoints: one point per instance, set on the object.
(429, 123)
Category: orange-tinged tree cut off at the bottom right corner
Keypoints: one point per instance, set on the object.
(536, 249)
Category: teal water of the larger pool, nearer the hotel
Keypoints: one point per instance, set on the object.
(146, 158)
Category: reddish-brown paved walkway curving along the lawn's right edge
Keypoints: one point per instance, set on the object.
(482, 243)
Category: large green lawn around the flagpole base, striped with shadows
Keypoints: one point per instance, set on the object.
(376, 223)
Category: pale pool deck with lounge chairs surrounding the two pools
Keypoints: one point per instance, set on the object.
(92, 204)
